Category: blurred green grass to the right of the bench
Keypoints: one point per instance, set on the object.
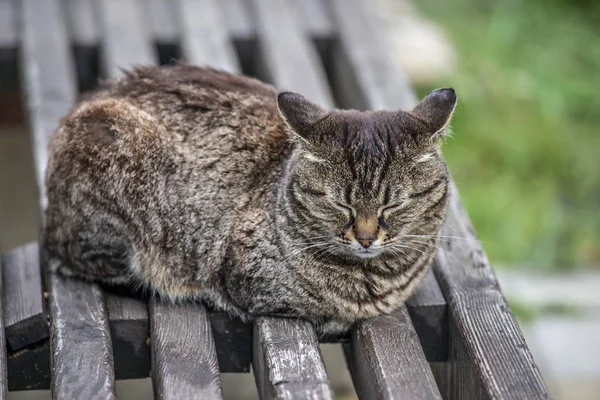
(525, 155)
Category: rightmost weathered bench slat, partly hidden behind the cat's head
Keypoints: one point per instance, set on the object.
(488, 354)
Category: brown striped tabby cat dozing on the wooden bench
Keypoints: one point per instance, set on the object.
(204, 185)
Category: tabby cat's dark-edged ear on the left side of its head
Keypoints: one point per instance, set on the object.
(299, 113)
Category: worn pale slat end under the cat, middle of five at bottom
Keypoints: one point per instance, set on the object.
(287, 363)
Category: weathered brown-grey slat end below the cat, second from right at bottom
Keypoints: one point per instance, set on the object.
(387, 362)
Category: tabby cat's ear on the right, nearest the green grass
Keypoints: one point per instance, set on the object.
(436, 110)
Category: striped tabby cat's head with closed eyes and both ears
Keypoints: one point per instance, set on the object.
(364, 184)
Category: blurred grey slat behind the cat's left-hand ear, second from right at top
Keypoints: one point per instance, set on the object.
(286, 56)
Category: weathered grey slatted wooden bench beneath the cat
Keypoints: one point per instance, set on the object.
(455, 338)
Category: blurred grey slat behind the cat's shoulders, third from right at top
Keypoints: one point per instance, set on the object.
(205, 39)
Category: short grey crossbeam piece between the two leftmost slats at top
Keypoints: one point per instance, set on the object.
(82, 22)
